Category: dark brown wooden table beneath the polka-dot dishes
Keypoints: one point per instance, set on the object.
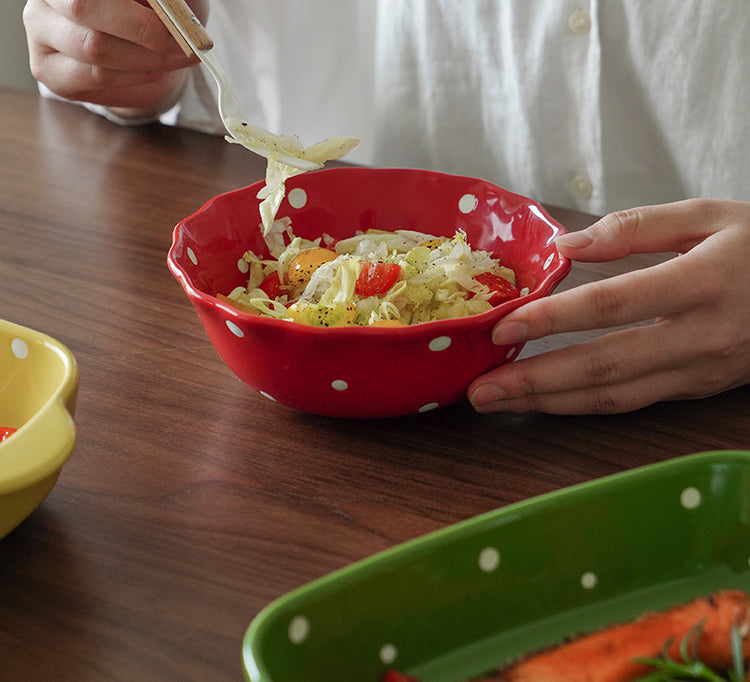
(190, 502)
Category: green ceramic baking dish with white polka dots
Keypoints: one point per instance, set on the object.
(460, 601)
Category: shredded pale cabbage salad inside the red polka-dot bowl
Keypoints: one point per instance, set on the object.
(436, 279)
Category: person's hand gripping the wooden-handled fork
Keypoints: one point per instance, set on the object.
(111, 52)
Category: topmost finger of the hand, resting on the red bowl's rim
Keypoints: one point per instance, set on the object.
(675, 227)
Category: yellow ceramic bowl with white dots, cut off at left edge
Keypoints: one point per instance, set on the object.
(38, 383)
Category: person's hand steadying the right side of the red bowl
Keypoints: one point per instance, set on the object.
(697, 345)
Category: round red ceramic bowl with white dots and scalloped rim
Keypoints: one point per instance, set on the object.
(360, 371)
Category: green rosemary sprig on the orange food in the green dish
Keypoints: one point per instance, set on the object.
(688, 667)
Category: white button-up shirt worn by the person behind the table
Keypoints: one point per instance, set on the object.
(590, 104)
